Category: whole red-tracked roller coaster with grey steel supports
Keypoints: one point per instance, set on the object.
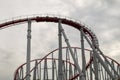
(65, 63)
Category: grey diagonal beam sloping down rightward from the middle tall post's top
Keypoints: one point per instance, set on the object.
(72, 54)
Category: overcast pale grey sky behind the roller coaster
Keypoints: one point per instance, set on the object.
(102, 16)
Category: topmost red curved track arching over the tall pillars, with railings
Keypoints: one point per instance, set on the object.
(51, 18)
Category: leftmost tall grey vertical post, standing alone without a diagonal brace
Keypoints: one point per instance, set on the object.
(28, 50)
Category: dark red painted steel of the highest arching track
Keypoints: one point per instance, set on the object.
(48, 19)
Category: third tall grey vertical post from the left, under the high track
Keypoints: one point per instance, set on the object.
(83, 54)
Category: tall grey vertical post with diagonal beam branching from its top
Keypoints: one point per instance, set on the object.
(60, 75)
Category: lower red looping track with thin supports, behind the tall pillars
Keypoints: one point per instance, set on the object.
(47, 67)
